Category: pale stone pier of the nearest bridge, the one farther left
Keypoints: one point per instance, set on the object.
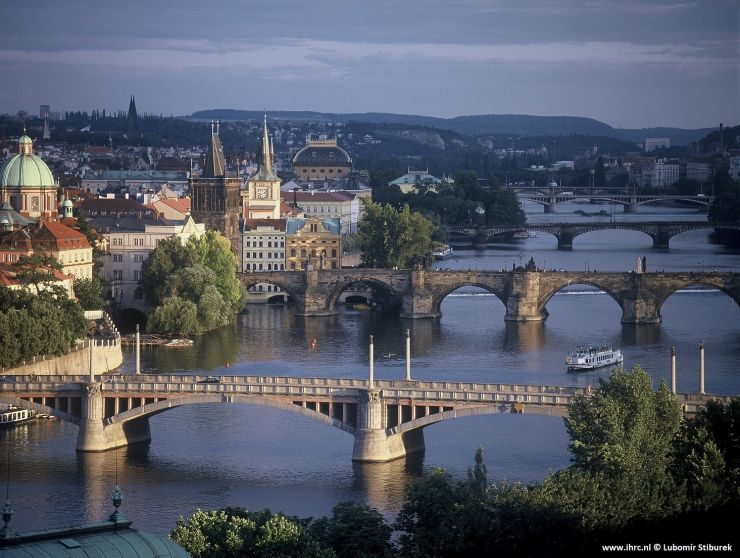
(94, 435)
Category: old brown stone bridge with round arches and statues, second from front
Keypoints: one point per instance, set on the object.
(525, 294)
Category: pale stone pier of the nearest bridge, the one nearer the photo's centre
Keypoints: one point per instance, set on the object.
(372, 442)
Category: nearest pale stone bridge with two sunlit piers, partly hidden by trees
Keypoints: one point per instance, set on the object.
(386, 419)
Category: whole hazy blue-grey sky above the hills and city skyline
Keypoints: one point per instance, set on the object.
(629, 63)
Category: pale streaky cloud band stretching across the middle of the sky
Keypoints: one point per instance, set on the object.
(336, 58)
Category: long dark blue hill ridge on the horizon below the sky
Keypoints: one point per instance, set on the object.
(479, 125)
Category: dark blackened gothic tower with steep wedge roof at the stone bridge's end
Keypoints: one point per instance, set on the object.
(216, 196)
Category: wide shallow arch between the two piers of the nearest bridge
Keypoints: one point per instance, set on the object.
(161, 406)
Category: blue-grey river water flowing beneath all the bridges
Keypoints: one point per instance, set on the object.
(211, 456)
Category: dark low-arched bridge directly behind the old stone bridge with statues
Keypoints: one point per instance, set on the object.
(660, 231)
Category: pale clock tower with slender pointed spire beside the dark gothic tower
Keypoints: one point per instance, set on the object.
(263, 185)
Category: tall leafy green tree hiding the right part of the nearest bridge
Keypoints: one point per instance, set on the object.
(623, 435)
